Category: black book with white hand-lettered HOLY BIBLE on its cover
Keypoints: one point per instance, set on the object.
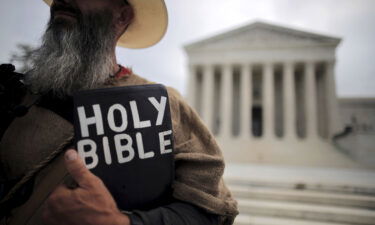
(124, 135)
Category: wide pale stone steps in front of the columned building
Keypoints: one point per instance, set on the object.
(276, 195)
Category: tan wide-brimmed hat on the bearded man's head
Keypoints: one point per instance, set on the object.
(148, 26)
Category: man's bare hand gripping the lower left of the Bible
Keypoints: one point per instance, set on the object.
(90, 203)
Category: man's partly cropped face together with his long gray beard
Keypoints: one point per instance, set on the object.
(77, 52)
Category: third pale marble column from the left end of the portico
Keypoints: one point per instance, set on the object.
(226, 106)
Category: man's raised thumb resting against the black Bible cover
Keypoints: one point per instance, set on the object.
(77, 169)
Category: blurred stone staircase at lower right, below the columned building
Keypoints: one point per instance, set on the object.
(277, 202)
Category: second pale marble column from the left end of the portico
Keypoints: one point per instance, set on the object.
(208, 95)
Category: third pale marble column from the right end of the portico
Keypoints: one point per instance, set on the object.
(289, 100)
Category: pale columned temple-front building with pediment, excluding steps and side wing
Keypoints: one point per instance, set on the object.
(268, 94)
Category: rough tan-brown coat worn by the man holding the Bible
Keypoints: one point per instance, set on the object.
(199, 164)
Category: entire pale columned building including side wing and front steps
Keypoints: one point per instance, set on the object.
(268, 95)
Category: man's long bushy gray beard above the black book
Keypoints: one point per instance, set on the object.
(73, 59)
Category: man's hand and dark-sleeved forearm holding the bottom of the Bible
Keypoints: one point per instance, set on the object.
(91, 203)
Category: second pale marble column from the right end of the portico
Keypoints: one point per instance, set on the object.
(311, 110)
